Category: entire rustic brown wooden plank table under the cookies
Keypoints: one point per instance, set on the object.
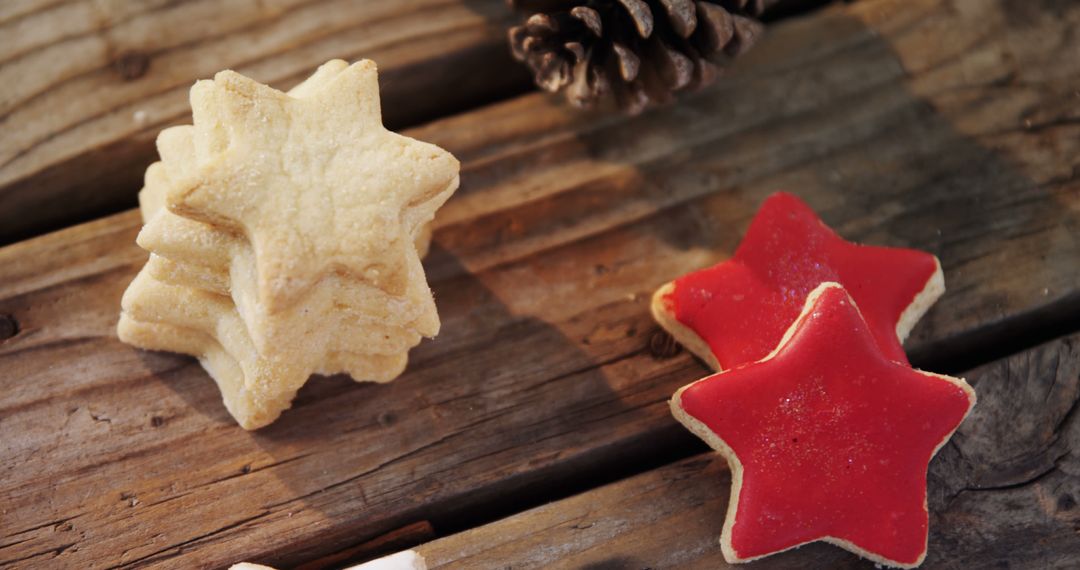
(534, 432)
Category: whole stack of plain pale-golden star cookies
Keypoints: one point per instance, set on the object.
(286, 234)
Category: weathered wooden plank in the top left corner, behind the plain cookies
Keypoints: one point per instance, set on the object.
(88, 85)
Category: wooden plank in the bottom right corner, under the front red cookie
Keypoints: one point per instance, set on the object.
(1005, 492)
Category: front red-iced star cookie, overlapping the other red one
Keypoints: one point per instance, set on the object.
(828, 439)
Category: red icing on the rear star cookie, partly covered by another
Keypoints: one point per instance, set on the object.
(742, 307)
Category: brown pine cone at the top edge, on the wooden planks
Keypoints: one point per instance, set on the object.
(638, 51)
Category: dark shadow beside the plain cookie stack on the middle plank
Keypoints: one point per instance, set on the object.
(505, 381)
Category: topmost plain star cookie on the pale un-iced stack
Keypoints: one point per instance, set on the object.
(316, 184)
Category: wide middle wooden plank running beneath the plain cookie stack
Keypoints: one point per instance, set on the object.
(944, 126)
